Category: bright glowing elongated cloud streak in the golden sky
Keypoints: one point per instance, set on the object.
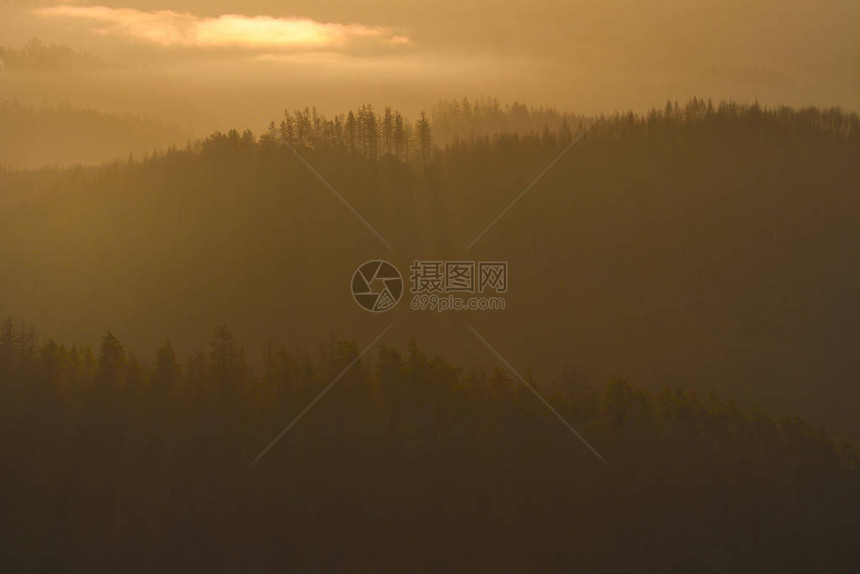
(169, 28)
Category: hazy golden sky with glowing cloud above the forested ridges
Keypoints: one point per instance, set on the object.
(588, 56)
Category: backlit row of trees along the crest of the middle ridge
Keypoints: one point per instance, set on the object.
(457, 123)
